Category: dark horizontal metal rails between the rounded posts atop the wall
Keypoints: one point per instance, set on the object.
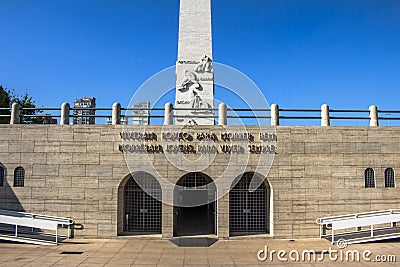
(248, 114)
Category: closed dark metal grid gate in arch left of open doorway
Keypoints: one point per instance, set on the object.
(142, 209)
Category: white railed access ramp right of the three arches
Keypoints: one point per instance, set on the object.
(381, 225)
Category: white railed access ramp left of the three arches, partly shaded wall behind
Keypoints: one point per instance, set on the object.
(33, 228)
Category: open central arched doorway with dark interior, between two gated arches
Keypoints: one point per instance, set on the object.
(190, 218)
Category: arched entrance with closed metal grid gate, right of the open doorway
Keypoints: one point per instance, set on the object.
(249, 210)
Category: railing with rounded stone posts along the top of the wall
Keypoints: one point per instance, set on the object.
(267, 116)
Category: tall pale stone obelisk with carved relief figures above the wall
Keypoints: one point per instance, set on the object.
(194, 71)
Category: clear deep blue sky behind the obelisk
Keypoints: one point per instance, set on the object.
(301, 53)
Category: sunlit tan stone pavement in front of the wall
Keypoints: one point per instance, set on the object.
(139, 252)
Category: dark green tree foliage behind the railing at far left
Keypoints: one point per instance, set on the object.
(7, 97)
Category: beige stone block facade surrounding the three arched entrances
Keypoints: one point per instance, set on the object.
(79, 172)
